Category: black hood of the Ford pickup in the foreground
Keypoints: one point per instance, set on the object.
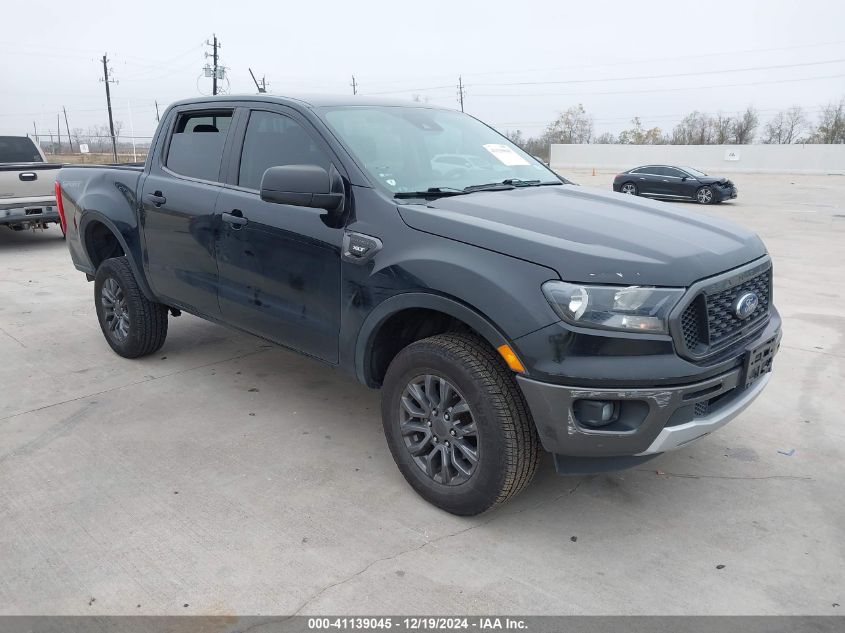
(591, 236)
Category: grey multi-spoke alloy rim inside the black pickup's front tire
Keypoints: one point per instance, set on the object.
(439, 430)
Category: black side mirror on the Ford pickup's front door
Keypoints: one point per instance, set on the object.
(301, 186)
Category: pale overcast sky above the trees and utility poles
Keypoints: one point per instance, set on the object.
(602, 54)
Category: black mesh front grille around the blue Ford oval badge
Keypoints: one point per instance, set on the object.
(709, 324)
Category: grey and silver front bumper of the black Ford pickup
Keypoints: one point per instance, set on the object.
(649, 421)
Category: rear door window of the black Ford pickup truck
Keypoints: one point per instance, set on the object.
(196, 147)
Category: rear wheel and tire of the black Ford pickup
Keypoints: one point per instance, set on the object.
(144, 328)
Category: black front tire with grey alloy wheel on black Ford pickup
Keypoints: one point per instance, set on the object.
(505, 441)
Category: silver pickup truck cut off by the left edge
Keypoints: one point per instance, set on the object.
(27, 181)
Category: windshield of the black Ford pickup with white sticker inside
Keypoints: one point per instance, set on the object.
(410, 149)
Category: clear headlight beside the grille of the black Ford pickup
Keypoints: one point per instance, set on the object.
(632, 308)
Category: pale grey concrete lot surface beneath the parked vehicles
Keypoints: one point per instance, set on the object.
(225, 475)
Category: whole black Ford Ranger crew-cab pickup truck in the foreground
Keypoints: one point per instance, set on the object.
(500, 308)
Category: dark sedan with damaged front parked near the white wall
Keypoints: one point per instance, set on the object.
(674, 183)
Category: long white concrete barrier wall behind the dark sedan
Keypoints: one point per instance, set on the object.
(788, 159)
